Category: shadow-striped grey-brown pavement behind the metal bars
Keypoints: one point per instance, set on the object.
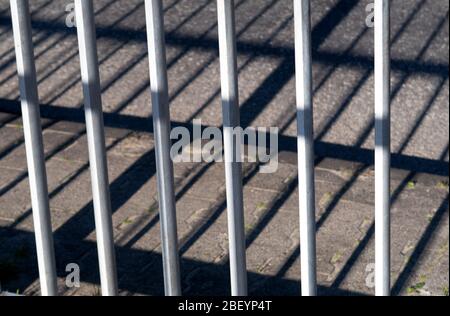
(343, 118)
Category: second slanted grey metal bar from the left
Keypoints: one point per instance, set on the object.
(96, 144)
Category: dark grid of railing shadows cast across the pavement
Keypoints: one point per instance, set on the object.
(70, 238)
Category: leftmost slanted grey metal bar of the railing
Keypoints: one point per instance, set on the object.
(34, 145)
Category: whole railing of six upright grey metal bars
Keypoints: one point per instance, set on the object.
(233, 170)
